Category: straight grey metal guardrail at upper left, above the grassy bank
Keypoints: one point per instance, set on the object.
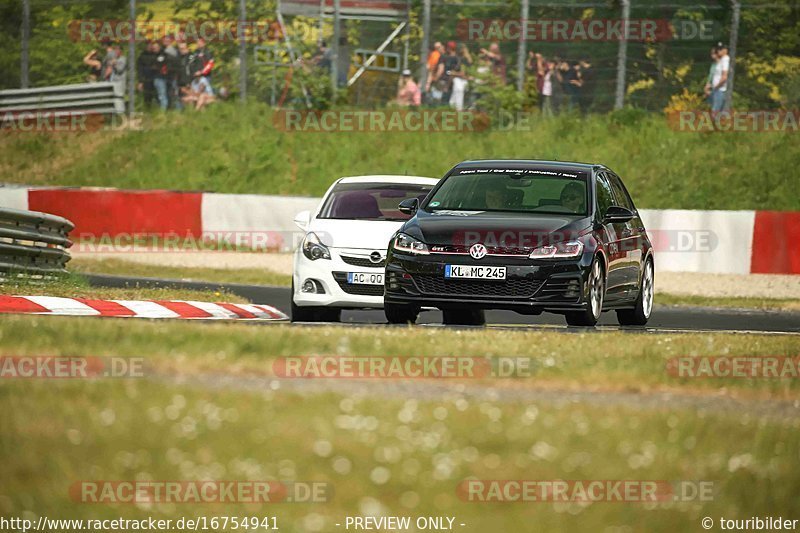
(99, 98)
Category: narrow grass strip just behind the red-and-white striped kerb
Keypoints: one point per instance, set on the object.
(76, 286)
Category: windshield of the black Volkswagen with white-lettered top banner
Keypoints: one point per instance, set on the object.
(544, 191)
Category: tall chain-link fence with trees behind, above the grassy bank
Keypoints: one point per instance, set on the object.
(592, 56)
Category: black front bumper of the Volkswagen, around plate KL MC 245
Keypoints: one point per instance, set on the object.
(530, 286)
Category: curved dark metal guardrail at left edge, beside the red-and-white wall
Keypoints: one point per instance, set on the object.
(33, 242)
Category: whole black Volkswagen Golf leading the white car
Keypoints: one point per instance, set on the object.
(529, 236)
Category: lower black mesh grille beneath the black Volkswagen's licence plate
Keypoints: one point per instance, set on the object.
(438, 285)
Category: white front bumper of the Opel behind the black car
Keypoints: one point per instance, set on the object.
(331, 276)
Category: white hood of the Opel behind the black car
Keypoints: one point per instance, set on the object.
(364, 234)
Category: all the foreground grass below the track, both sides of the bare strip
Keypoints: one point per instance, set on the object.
(381, 453)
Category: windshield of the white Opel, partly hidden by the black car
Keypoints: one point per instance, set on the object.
(371, 201)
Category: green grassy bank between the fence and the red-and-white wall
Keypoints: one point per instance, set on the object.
(236, 150)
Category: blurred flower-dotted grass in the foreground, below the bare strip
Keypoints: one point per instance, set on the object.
(382, 455)
